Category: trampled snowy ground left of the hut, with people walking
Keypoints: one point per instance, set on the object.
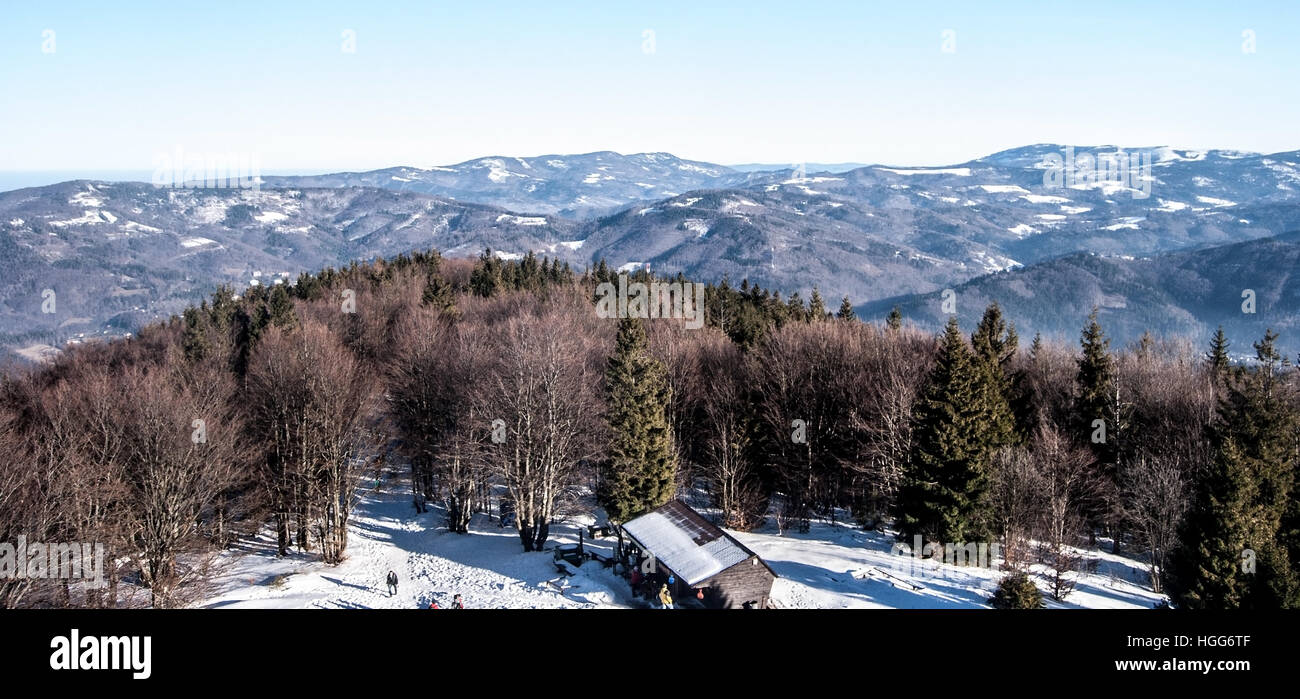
(488, 567)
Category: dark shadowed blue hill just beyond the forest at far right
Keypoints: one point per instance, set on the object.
(1184, 294)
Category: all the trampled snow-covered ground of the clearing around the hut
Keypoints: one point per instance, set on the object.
(833, 566)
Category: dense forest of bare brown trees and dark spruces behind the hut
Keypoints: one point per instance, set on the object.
(487, 380)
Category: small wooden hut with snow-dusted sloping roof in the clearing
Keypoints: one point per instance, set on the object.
(700, 557)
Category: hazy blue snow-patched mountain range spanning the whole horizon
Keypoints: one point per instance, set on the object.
(122, 254)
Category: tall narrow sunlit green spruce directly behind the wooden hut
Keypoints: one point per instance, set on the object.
(642, 470)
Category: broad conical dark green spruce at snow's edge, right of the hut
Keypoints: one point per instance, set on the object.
(943, 490)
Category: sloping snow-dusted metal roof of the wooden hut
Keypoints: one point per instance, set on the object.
(687, 544)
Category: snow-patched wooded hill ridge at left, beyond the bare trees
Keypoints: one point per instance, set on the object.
(119, 255)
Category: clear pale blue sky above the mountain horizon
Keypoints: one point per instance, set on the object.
(727, 83)
